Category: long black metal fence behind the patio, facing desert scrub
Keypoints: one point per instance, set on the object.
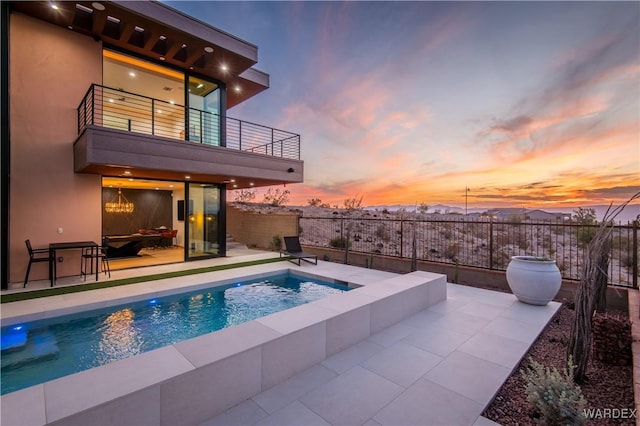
(485, 244)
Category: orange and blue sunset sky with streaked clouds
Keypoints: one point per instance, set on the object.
(524, 103)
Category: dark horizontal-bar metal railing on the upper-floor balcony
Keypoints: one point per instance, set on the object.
(118, 109)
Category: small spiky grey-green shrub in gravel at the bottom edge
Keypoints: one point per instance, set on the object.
(553, 395)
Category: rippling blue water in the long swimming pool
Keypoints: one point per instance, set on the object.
(39, 351)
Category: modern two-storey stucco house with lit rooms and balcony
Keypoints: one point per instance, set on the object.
(101, 94)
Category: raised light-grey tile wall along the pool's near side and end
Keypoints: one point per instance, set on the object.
(195, 380)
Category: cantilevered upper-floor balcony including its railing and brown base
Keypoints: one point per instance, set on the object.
(149, 138)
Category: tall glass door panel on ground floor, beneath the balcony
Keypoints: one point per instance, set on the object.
(203, 214)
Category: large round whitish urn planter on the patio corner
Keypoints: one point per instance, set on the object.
(533, 280)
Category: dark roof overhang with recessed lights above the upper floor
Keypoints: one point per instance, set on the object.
(160, 33)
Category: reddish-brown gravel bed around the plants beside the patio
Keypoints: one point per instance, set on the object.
(606, 387)
